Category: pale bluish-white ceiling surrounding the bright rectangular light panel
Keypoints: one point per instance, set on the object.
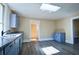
(32, 10)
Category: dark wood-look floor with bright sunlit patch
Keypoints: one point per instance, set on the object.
(49, 48)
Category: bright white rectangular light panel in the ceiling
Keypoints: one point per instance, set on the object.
(50, 8)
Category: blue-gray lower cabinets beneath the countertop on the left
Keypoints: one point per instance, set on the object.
(14, 47)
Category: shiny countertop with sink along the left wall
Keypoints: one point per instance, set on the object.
(7, 39)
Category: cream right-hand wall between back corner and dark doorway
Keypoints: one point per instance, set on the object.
(65, 25)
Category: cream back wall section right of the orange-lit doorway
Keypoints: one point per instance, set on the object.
(47, 28)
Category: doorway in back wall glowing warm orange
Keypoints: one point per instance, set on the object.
(34, 30)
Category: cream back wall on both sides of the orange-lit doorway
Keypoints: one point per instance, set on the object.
(46, 29)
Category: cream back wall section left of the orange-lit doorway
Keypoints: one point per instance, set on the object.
(25, 27)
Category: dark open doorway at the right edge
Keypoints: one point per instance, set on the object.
(76, 30)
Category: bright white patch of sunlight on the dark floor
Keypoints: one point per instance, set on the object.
(50, 50)
